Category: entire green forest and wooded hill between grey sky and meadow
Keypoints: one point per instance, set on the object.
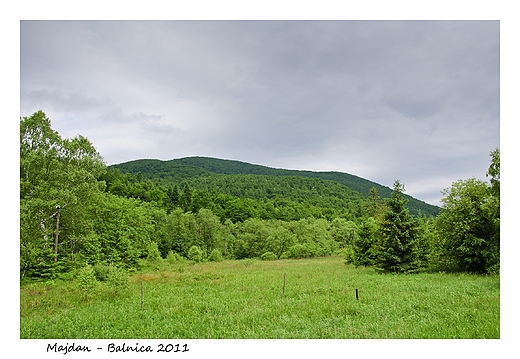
(76, 211)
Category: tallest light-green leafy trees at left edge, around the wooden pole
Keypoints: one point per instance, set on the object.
(58, 183)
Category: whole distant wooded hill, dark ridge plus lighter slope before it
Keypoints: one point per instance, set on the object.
(320, 191)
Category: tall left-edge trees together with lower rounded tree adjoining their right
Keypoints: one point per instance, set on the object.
(66, 218)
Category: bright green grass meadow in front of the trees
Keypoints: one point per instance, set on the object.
(248, 299)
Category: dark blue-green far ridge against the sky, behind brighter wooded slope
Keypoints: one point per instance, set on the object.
(192, 168)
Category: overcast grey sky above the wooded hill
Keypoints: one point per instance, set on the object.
(416, 101)
